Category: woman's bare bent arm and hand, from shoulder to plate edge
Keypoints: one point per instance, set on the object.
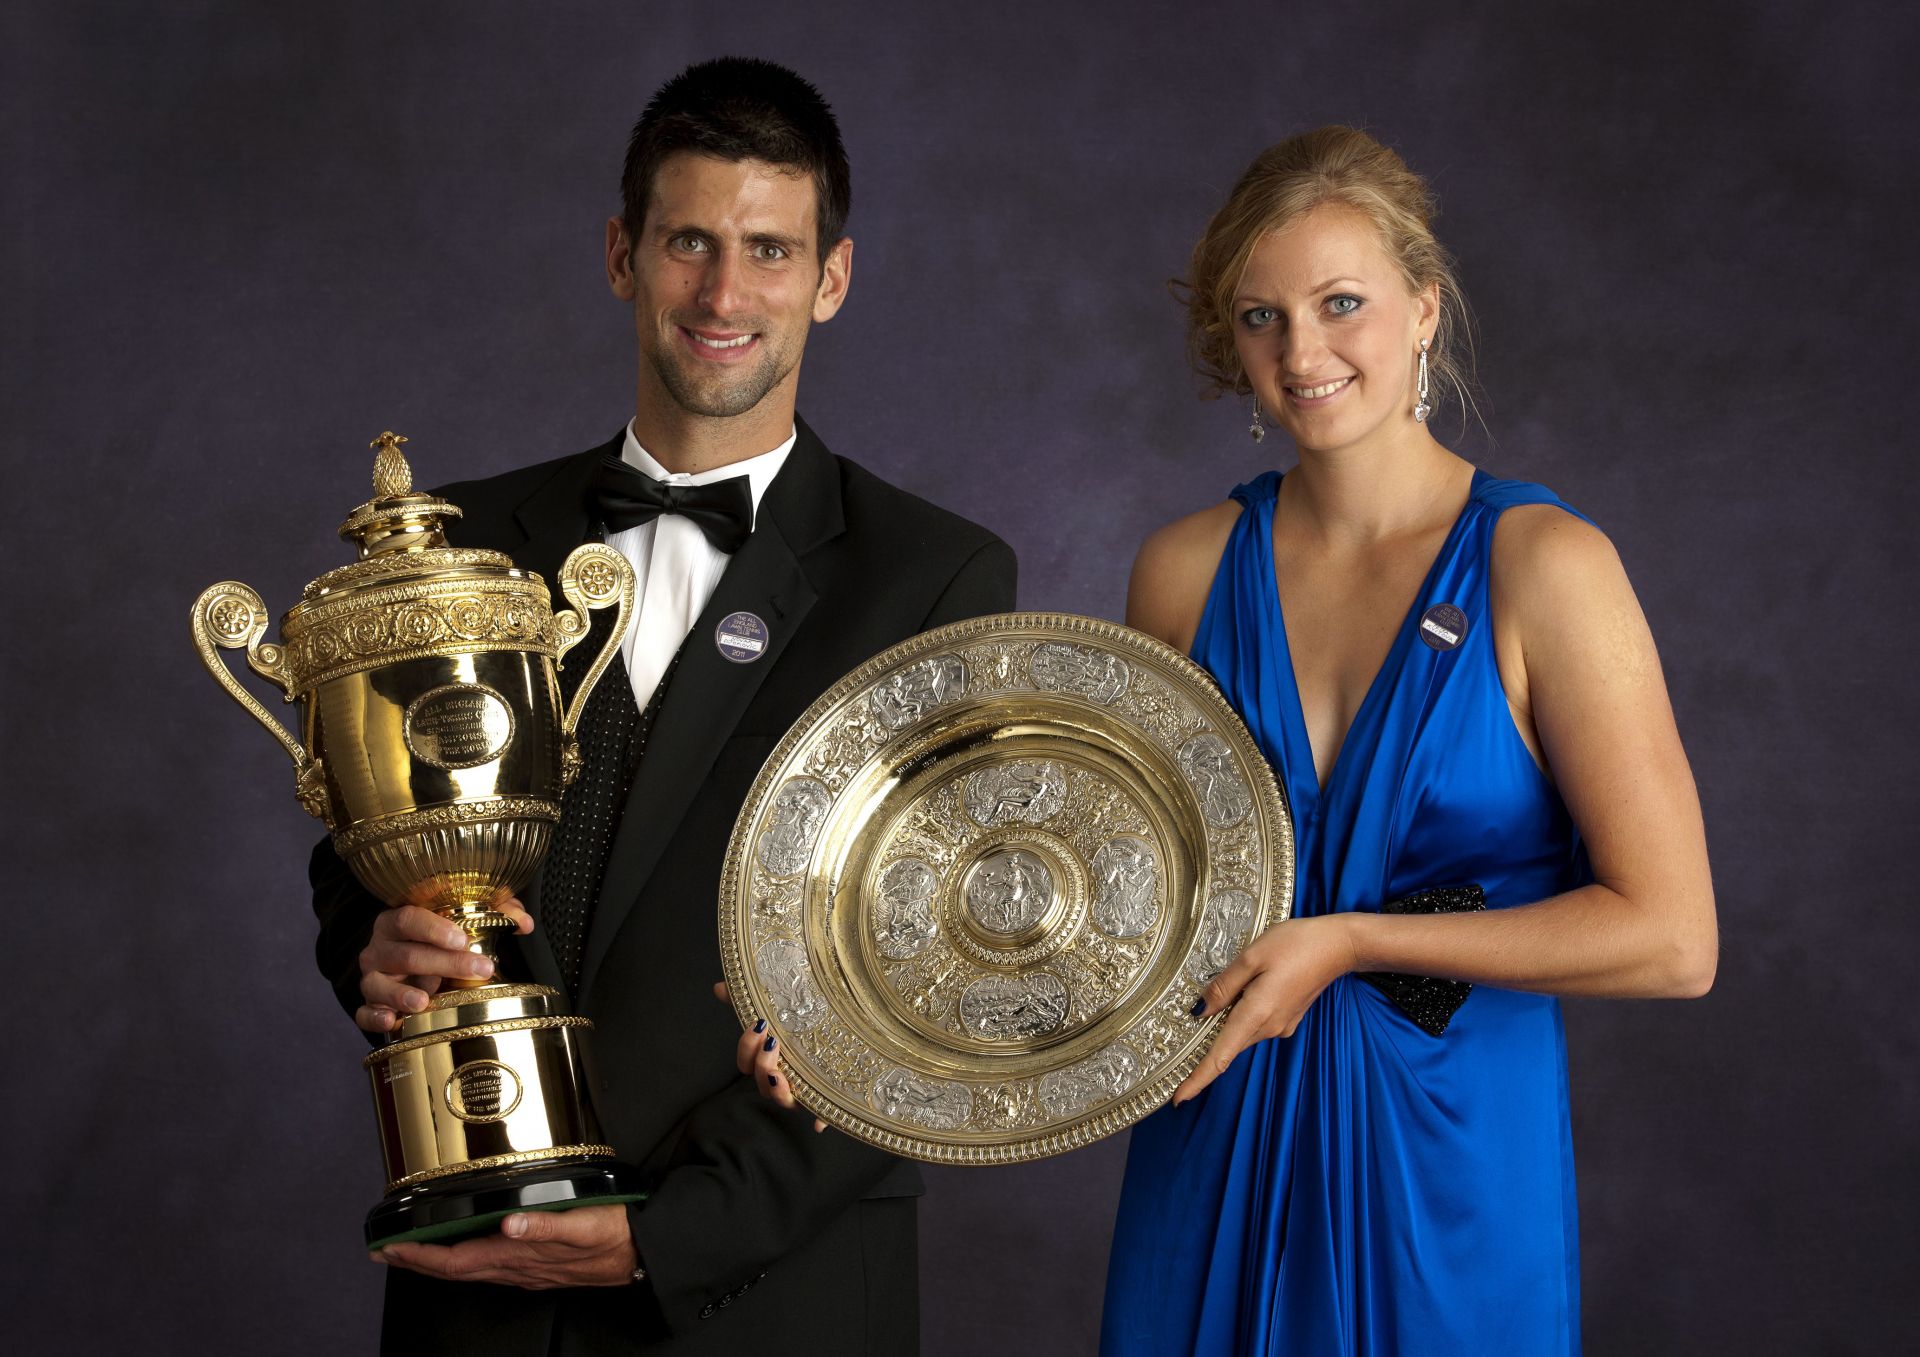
(1581, 671)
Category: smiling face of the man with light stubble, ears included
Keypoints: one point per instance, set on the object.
(725, 281)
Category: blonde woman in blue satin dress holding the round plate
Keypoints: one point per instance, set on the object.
(1458, 688)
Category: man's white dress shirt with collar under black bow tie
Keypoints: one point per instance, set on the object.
(675, 567)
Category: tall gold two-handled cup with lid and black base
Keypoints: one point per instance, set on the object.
(437, 751)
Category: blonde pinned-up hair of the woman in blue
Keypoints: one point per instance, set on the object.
(1287, 181)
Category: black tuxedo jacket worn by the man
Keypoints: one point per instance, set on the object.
(759, 1233)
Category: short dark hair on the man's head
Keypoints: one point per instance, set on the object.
(740, 108)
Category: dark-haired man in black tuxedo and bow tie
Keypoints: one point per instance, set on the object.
(757, 1233)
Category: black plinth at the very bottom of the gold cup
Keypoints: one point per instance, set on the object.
(477, 1202)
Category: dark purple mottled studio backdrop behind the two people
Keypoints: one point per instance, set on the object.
(243, 239)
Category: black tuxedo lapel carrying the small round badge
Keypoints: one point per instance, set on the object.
(709, 694)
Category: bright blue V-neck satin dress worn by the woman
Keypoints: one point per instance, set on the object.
(1362, 1187)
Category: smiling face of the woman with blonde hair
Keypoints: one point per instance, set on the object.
(1328, 331)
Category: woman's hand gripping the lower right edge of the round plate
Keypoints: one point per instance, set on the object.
(1270, 988)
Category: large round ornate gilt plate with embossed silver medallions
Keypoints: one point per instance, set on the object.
(980, 884)
